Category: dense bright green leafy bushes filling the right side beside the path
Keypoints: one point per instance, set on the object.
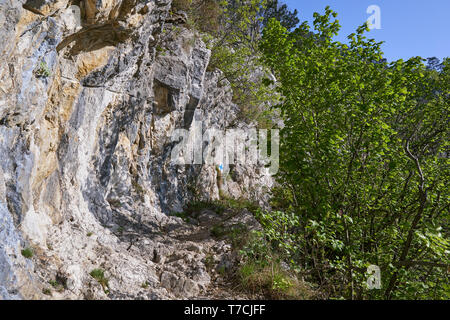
(364, 163)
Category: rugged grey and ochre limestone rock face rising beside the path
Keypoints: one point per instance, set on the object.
(89, 104)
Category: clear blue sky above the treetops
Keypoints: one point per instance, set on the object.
(408, 27)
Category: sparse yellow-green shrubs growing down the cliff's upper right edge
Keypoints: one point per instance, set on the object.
(235, 52)
